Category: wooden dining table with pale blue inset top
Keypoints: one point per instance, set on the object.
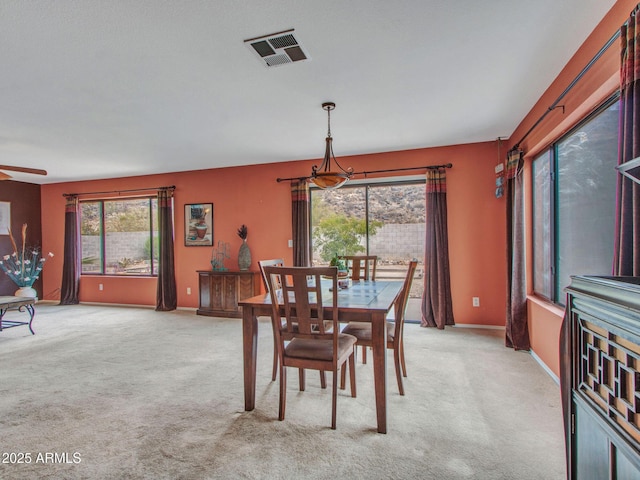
(361, 301)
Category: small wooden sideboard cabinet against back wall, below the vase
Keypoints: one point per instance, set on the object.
(221, 291)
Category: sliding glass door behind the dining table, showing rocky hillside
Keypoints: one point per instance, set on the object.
(383, 219)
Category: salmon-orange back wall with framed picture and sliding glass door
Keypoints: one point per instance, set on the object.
(250, 195)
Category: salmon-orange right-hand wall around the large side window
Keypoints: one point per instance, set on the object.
(598, 84)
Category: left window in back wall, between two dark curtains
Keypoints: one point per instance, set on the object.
(119, 237)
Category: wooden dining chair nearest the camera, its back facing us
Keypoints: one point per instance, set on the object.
(304, 339)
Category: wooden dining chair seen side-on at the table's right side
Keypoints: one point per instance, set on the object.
(395, 328)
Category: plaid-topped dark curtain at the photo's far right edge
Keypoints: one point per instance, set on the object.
(627, 247)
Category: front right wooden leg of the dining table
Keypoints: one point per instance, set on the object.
(379, 346)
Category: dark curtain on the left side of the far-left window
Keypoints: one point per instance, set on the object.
(71, 265)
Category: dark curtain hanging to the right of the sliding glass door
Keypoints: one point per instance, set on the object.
(437, 307)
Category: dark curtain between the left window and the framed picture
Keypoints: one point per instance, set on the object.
(166, 297)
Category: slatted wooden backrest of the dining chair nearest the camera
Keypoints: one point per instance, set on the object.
(300, 292)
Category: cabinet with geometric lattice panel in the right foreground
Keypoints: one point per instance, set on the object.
(600, 377)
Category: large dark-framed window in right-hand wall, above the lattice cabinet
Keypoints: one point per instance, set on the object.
(574, 204)
